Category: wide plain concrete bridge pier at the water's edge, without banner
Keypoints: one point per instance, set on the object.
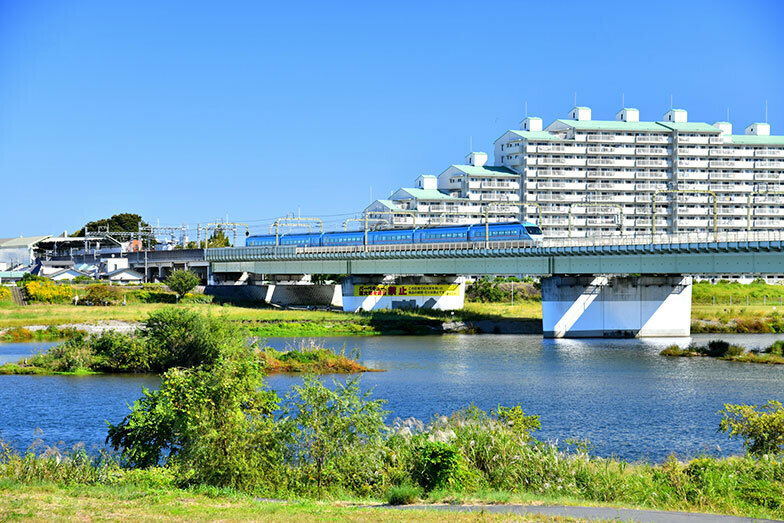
(588, 306)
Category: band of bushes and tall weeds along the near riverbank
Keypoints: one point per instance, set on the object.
(214, 427)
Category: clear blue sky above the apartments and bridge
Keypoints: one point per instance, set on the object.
(186, 111)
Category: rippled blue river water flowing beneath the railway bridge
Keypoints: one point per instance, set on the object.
(621, 395)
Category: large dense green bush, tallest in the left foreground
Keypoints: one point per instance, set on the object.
(213, 421)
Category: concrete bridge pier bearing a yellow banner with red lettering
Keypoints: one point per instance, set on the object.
(378, 292)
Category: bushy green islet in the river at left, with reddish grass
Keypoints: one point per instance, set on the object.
(170, 338)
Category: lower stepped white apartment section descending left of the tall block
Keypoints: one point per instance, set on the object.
(462, 194)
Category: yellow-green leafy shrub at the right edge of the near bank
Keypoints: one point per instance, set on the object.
(762, 428)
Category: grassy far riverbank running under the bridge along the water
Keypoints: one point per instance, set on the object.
(264, 321)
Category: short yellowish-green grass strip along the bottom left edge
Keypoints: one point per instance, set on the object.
(20, 501)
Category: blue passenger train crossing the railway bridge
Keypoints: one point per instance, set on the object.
(445, 234)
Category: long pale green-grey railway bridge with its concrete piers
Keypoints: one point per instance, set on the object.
(613, 287)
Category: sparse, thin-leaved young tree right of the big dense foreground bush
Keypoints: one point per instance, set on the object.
(328, 423)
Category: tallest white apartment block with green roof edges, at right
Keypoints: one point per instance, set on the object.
(598, 177)
